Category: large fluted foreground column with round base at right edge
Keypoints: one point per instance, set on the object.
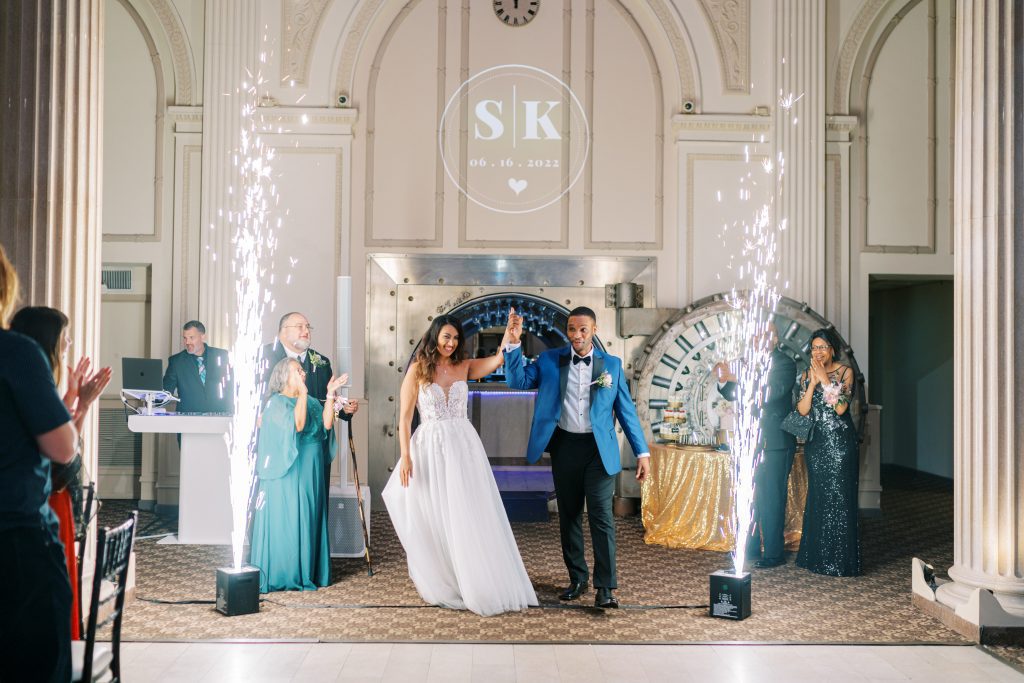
(989, 269)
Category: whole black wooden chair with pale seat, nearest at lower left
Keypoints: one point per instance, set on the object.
(92, 661)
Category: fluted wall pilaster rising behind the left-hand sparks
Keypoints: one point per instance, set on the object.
(232, 51)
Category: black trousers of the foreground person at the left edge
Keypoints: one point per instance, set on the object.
(35, 620)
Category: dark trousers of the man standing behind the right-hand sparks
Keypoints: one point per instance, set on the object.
(772, 482)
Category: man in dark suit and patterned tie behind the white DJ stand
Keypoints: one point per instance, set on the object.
(200, 375)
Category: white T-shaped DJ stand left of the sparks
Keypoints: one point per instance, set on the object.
(204, 496)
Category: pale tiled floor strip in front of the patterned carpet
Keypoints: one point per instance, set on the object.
(536, 664)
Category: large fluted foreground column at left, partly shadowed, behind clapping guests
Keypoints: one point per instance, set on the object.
(51, 196)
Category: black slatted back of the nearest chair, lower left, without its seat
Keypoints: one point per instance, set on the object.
(113, 554)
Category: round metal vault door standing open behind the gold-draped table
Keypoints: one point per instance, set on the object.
(678, 364)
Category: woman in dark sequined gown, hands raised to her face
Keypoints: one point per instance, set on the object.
(830, 544)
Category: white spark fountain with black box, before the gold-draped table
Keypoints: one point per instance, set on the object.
(753, 298)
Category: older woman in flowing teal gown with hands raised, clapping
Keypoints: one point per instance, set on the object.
(293, 456)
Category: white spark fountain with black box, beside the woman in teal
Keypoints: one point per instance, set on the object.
(253, 244)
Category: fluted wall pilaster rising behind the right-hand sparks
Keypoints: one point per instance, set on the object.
(800, 61)
